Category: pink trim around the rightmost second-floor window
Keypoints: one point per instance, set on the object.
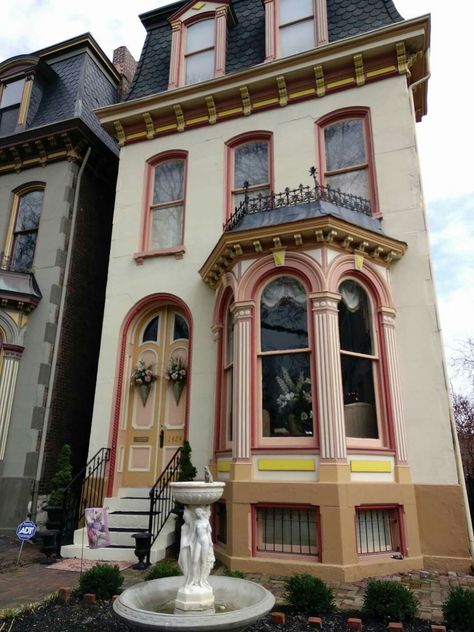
(337, 116)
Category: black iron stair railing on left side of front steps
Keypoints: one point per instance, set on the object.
(87, 489)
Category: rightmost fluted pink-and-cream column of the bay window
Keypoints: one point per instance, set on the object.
(392, 372)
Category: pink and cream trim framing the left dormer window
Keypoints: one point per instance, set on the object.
(177, 77)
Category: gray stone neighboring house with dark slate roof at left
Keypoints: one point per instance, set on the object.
(57, 185)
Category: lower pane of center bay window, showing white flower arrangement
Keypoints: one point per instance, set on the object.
(286, 396)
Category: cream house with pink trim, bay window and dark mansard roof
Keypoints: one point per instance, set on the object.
(270, 267)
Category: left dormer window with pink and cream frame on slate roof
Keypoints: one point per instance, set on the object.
(198, 43)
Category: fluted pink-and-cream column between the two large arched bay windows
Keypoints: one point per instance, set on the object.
(329, 400)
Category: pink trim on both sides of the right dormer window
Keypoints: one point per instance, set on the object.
(272, 27)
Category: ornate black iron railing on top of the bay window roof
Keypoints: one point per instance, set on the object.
(294, 197)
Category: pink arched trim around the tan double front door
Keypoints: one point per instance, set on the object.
(156, 301)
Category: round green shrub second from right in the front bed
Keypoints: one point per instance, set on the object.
(389, 601)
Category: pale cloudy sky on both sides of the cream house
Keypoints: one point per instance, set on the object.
(444, 136)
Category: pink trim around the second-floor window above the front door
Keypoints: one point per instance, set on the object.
(144, 251)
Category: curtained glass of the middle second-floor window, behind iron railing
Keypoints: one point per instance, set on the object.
(251, 165)
